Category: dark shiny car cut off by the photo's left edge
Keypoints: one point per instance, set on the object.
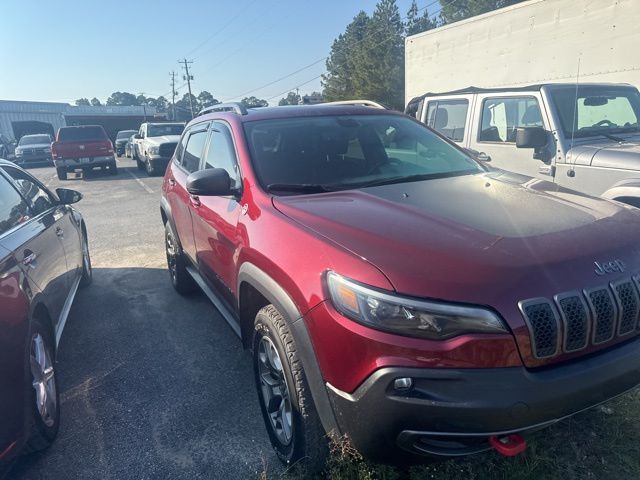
(44, 257)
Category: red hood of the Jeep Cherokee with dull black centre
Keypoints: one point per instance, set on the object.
(489, 239)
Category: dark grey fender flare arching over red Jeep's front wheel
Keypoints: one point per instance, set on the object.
(275, 294)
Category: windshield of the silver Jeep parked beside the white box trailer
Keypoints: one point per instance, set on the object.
(600, 110)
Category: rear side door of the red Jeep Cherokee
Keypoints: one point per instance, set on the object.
(186, 161)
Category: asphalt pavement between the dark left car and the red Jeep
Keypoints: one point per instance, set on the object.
(153, 384)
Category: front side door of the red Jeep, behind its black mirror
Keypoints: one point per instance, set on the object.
(215, 219)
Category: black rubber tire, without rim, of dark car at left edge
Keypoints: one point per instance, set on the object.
(41, 434)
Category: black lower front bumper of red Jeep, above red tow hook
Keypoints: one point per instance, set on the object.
(454, 411)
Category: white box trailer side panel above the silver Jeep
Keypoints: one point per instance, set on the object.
(538, 41)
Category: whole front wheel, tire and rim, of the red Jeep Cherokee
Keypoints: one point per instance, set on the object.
(288, 410)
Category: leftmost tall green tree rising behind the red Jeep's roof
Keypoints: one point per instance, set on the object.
(337, 83)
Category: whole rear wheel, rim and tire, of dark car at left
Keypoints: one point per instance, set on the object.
(43, 394)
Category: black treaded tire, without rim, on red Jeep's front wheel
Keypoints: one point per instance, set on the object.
(308, 446)
